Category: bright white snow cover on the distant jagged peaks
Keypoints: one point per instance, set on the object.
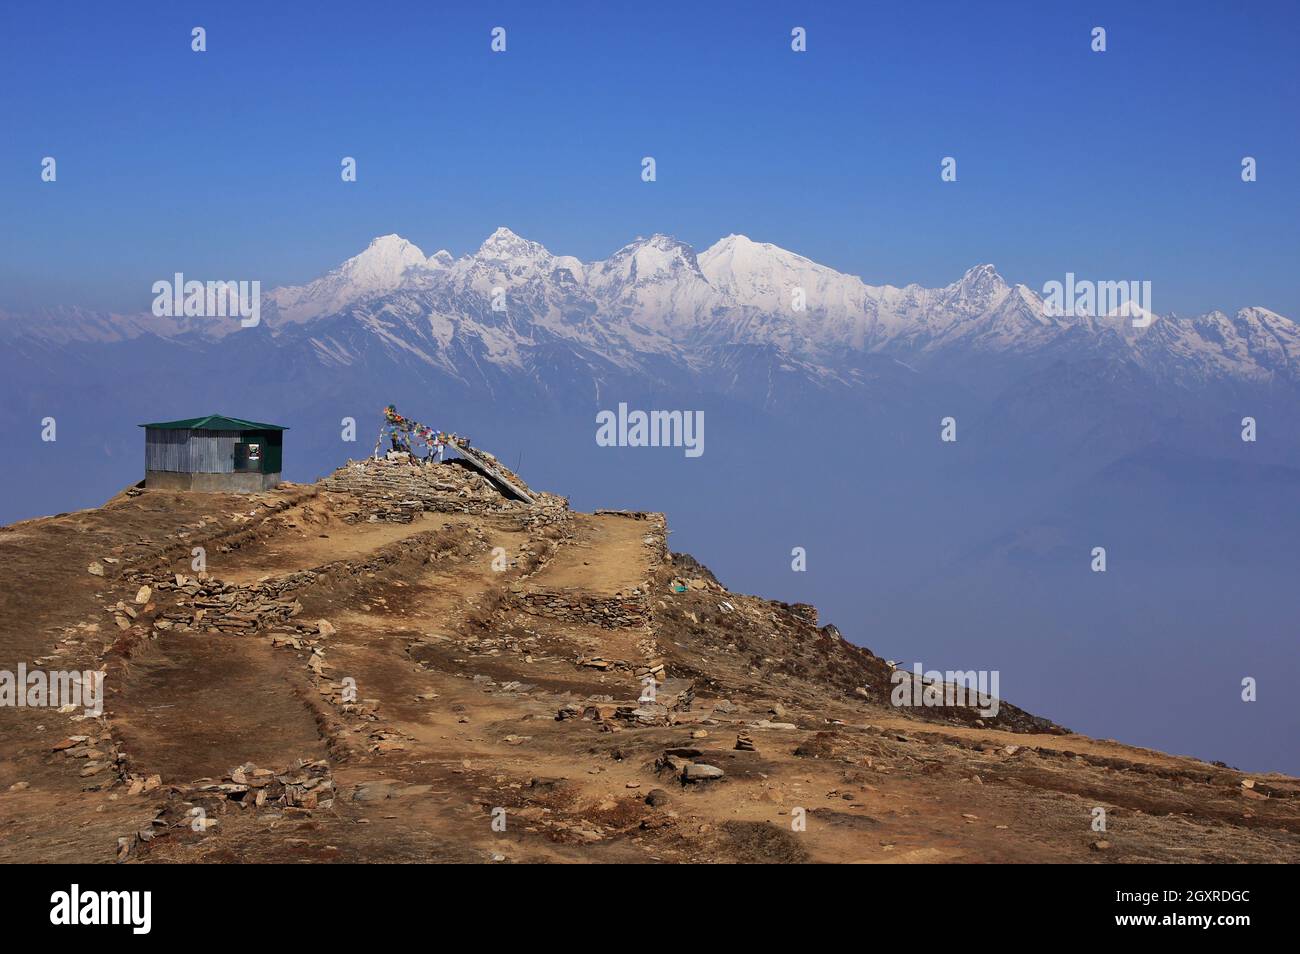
(657, 294)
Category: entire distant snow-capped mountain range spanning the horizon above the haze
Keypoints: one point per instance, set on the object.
(657, 303)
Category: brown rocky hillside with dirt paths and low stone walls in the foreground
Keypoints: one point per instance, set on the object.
(398, 665)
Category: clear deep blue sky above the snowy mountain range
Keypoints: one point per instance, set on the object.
(226, 164)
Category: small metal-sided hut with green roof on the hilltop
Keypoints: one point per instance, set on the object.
(213, 454)
